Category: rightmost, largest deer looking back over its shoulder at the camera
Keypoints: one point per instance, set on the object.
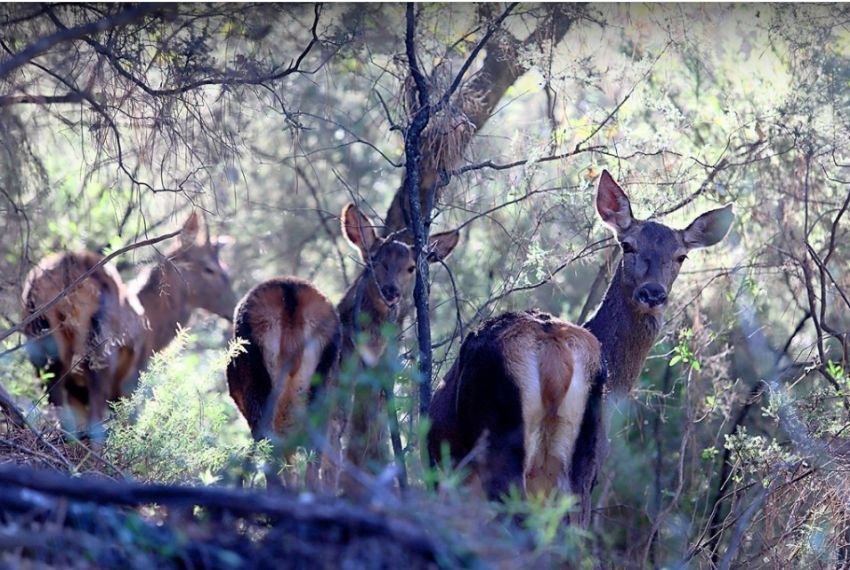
(527, 389)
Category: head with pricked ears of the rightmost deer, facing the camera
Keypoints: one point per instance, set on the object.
(652, 252)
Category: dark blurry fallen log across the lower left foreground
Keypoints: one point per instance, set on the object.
(206, 527)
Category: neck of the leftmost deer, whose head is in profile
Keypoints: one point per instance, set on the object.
(165, 297)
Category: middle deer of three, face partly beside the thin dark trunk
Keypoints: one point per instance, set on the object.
(297, 341)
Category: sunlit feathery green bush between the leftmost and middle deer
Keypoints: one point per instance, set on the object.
(180, 425)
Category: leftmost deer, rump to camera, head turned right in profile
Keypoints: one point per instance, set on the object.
(98, 338)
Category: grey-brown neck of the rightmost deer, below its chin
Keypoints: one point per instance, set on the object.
(626, 335)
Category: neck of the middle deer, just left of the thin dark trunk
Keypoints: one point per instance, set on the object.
(361, 313)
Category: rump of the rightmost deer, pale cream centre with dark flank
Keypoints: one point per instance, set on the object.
(522, 379)
